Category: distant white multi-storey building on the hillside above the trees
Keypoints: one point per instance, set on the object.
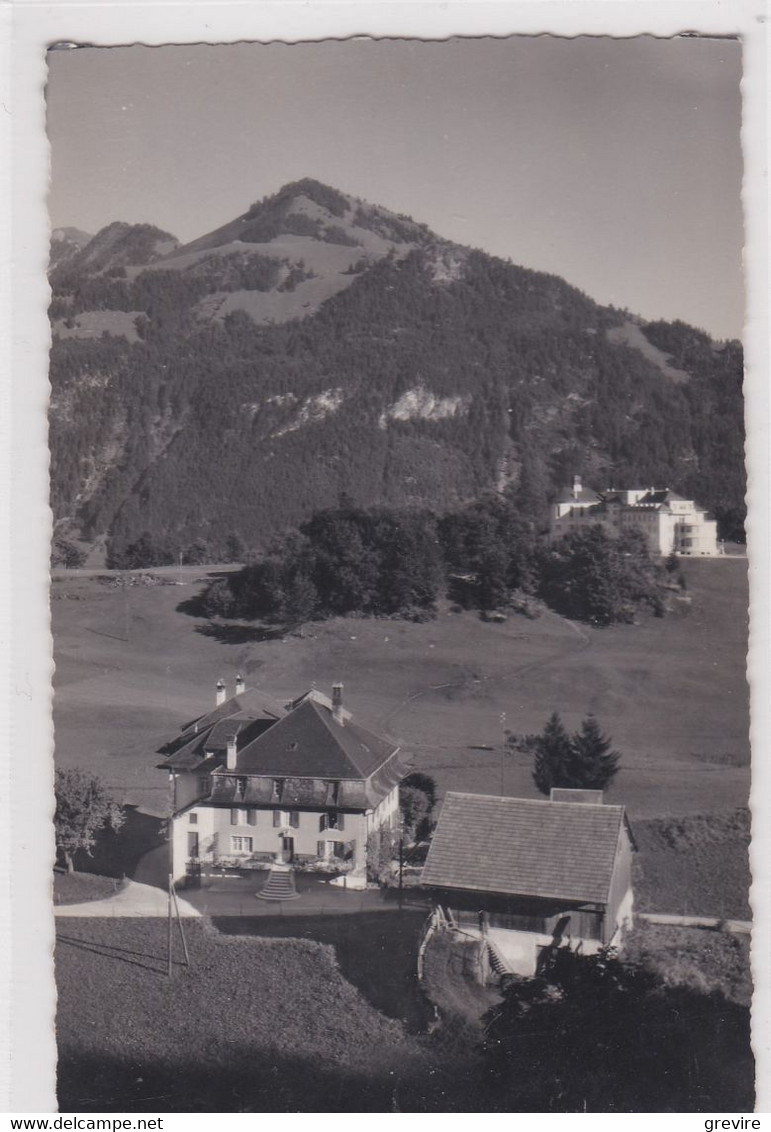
(669, 522)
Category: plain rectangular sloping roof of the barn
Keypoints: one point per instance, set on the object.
(519, 847)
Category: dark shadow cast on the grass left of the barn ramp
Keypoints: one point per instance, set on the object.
(378, 954)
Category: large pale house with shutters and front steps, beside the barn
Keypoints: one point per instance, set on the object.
(255, 781)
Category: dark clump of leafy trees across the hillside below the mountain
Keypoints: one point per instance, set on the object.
(382, 562)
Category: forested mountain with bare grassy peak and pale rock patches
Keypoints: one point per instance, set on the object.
(320, 345)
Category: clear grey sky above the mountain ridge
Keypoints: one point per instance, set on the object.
(614, 164)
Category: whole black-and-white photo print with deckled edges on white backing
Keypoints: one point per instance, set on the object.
(399, 591)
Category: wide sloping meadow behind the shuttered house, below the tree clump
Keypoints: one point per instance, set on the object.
(673, 693)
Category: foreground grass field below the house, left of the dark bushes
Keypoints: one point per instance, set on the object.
(267, 1025)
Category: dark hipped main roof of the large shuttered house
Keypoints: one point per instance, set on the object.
(310, 743)
